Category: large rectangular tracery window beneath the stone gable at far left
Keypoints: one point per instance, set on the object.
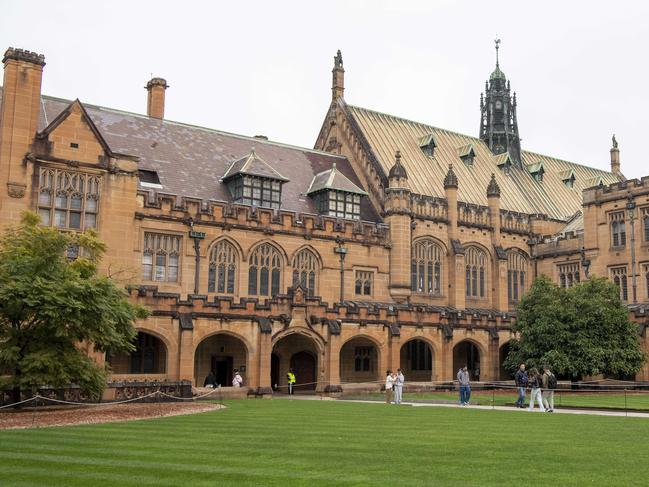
(68, 200)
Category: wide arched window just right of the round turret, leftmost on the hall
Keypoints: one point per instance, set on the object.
(426, 267)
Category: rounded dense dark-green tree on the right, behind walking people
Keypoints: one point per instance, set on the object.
(580, 331)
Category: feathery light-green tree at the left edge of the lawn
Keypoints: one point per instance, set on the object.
(51, 305)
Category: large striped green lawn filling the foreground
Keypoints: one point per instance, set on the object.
(311, 443)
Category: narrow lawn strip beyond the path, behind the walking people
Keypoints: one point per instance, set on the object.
(608, 400)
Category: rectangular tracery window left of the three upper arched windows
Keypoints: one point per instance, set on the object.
(161, 257)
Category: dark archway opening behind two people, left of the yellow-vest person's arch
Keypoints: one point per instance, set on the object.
(221, 353)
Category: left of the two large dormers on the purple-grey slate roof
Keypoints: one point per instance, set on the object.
(252, 181)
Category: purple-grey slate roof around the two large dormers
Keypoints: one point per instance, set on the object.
(190, 161)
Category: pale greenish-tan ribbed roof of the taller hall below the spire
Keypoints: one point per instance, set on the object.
(520, 192)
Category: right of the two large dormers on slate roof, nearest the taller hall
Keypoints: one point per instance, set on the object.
(335, 195)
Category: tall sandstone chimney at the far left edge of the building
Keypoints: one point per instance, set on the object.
(21, 103)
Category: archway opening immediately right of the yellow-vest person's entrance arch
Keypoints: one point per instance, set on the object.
(359, 361)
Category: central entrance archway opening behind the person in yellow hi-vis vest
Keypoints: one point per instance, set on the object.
(299, 352)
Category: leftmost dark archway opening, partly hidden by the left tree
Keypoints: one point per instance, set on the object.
(149, 357)
